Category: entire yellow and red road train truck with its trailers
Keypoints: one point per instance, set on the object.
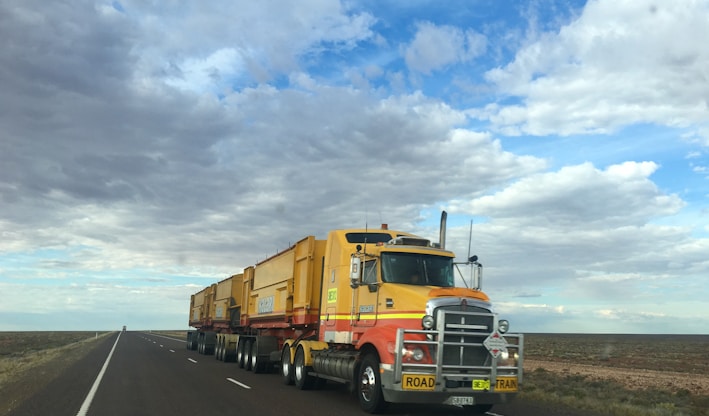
(374, 308)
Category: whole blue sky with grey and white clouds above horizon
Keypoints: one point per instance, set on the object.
(150, 149)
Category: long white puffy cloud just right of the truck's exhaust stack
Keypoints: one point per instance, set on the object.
(582, 197)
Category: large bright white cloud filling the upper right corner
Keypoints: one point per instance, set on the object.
(618, 64)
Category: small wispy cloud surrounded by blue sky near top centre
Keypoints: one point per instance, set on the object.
(435, 47)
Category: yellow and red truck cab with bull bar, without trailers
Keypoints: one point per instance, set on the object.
(415, 337)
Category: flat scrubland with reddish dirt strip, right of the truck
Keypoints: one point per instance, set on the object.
(675, 362)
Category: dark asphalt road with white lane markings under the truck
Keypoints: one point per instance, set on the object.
(153, 375)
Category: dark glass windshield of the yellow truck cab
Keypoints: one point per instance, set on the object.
(417, 269)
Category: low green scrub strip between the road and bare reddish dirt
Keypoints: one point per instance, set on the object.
(608, 397)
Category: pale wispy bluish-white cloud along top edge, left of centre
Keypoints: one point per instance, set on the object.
(224, 45)
